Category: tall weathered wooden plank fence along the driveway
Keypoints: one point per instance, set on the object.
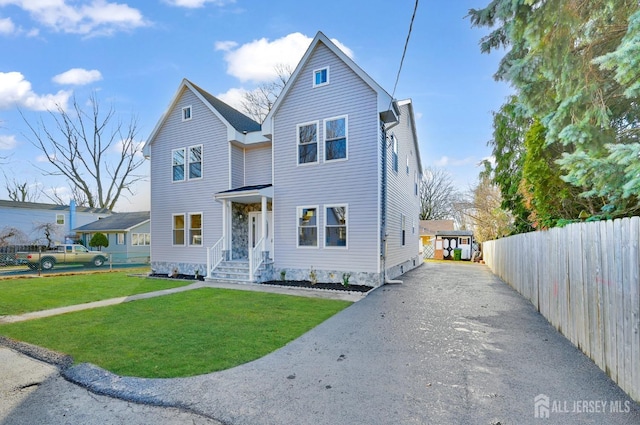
(584, 278)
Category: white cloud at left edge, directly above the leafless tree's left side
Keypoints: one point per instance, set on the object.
(16, 91)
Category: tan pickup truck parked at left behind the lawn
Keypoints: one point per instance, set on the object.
(61, 254)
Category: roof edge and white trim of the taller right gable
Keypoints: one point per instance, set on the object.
(386, 105)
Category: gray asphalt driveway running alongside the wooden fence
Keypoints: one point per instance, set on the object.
(453, 344)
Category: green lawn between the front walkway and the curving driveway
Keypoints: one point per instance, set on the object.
(185, 334)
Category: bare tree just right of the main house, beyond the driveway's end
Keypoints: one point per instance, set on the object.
(437, 195)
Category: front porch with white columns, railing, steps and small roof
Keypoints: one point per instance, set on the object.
(244, 253)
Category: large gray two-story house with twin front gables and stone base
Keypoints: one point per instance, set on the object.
(327, 185)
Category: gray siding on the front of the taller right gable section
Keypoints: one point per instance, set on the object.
(353, 182)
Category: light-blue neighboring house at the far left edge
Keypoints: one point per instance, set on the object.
(31, 218)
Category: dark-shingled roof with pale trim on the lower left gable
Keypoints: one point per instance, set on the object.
(238, 124)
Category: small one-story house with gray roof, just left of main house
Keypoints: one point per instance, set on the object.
(129, 236)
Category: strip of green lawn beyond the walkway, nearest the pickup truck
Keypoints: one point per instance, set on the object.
(19, 296)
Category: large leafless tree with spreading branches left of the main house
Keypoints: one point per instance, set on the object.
(95, 151)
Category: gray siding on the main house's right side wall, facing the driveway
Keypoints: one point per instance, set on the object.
(401, 198)
